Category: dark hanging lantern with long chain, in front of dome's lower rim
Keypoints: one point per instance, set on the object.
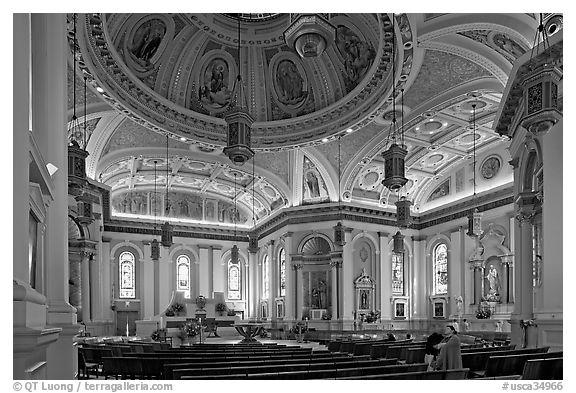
(239, 121)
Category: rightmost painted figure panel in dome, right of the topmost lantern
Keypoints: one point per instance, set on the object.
(358, 55)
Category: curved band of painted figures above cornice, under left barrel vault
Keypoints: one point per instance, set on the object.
(181, 205)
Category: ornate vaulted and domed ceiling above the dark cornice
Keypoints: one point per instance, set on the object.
(445, 63)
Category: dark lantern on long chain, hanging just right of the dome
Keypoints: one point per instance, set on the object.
(395, 156)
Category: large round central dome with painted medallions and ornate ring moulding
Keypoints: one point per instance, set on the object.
(176, 72)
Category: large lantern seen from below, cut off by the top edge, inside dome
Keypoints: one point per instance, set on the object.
(309, 34)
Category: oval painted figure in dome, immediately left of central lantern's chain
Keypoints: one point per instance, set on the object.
(214, 92)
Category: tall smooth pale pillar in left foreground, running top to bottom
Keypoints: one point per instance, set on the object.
(49, 91)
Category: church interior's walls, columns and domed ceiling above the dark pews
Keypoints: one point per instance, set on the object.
(359, 172)
